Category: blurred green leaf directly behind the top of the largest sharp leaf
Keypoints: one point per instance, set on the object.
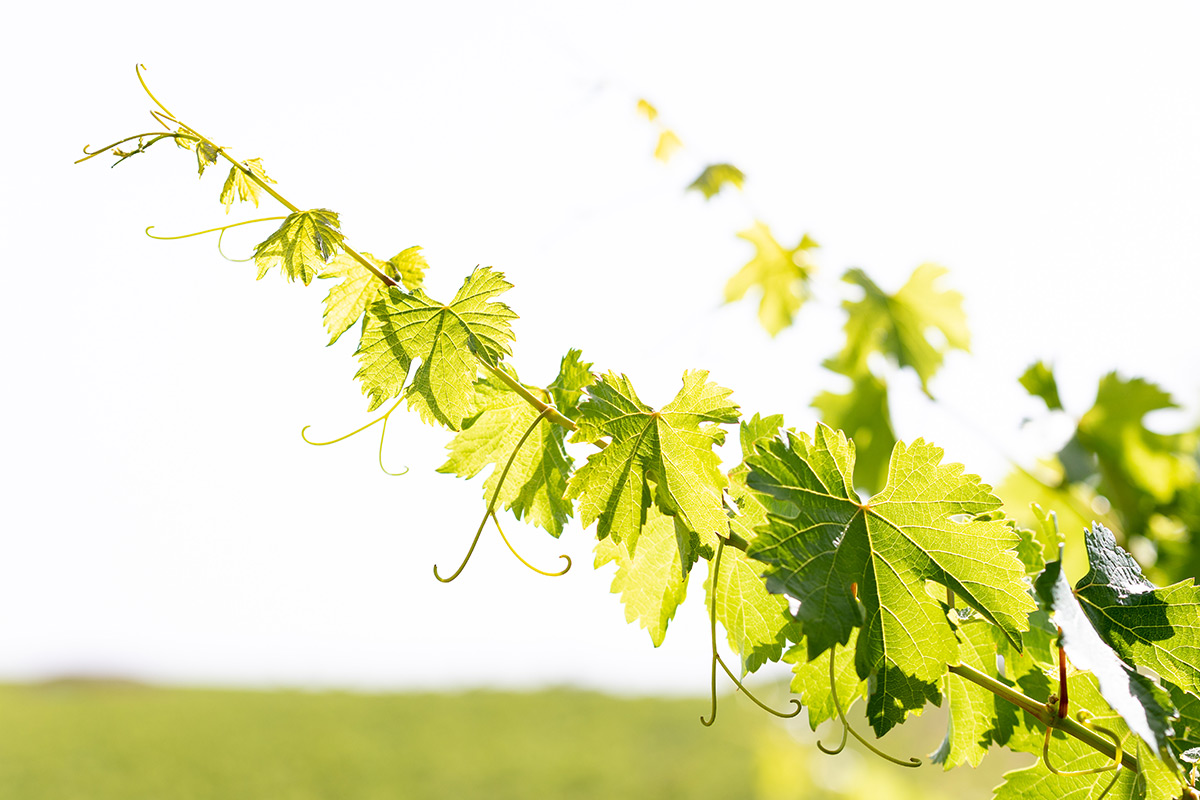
(865, 416)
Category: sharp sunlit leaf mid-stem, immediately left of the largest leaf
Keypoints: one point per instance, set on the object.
(673, 448)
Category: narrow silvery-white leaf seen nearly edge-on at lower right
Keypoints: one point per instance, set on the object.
(1145, 708)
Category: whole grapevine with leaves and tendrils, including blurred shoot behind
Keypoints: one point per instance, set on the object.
(879, 572)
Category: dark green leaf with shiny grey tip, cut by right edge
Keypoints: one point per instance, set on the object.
(1144, 624)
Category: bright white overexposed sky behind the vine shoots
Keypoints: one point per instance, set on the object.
(163, 518)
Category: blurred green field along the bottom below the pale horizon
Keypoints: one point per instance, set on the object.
(124, 742)
